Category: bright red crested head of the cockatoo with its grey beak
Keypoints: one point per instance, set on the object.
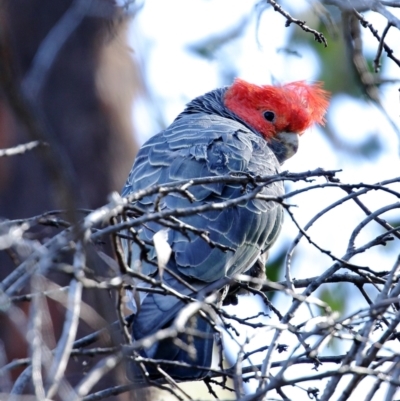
(278, 113)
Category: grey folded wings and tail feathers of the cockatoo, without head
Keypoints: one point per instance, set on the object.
(196, 146)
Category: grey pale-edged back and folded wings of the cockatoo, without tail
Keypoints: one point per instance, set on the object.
(200, 146)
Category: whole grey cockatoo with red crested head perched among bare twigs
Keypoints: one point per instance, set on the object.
(243, 129)
